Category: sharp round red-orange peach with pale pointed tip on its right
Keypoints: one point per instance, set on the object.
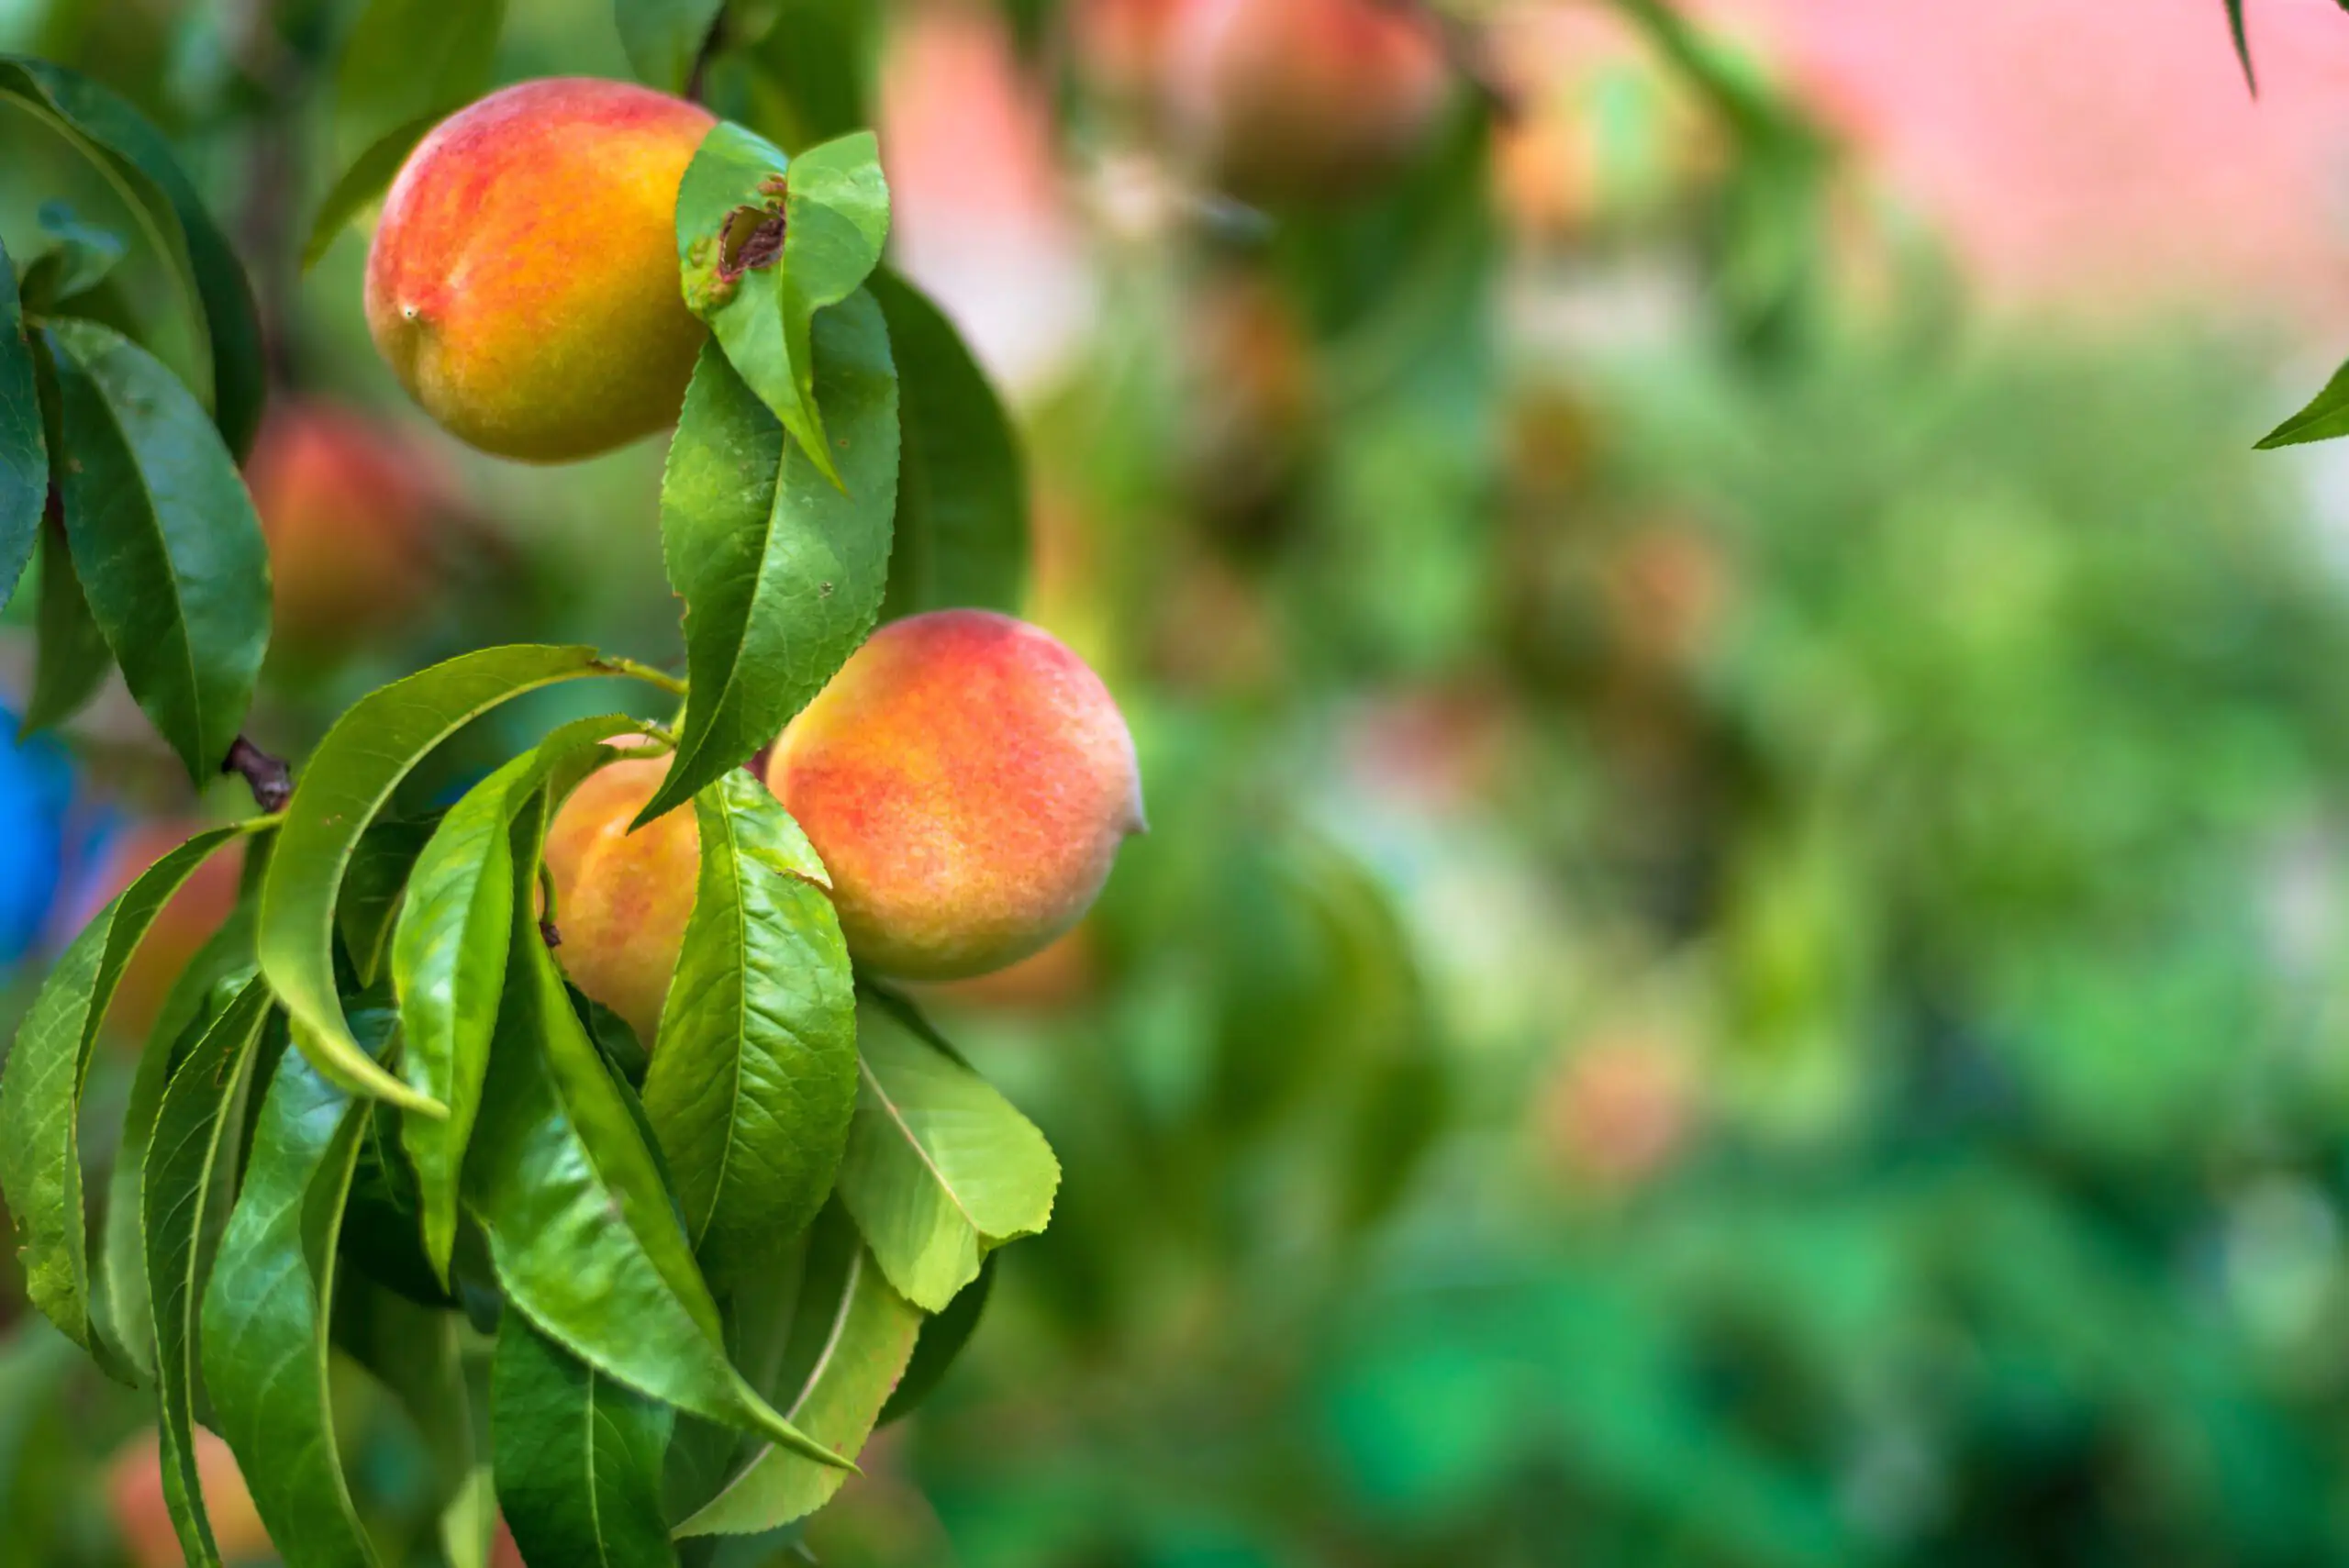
(967, 783)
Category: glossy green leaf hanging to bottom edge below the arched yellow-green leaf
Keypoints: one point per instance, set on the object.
(269, 1309)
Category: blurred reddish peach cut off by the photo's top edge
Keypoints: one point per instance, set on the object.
(1300, 100)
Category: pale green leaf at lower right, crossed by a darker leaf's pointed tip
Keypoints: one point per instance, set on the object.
(852, 1341)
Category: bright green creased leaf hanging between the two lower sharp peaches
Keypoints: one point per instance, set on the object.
(755, 1076)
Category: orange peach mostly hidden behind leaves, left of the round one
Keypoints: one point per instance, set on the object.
(621, 900)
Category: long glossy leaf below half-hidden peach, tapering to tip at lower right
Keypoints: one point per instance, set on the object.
(581, 1229)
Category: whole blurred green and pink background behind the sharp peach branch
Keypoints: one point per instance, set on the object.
(1744, 949)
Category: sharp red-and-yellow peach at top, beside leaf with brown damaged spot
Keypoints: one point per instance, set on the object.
(523, 283)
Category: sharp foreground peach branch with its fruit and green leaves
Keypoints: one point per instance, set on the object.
(647, 1262)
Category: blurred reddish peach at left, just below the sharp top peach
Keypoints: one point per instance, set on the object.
(349, 513)
